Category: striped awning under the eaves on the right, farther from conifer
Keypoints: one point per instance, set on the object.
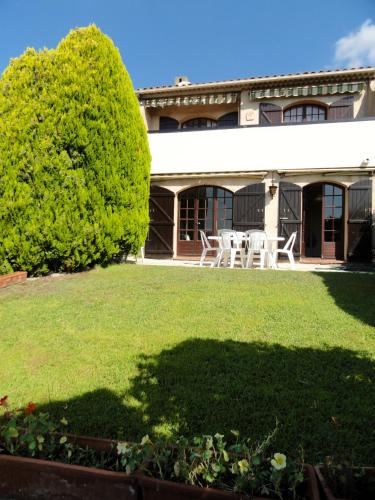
(307, 90)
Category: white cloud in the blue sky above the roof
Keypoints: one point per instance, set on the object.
(357, 48)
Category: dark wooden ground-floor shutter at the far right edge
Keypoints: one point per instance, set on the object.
(359, 221)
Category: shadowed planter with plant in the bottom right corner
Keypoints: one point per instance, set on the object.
(342, 481)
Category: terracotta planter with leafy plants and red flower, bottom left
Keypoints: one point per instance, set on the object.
(39, 460)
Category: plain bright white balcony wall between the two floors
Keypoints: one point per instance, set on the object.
(318, 145)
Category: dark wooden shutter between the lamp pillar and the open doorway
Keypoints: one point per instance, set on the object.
(290, 213)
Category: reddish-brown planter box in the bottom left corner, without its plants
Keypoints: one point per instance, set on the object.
(34, 479)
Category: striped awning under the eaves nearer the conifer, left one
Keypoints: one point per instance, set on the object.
(192, 100)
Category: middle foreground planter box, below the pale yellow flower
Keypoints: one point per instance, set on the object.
(156, 489)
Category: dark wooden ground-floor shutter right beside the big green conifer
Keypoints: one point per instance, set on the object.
(159, 241)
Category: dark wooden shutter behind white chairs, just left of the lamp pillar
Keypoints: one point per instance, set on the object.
(248, 207)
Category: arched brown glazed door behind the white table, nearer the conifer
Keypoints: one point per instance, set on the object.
(206, 208)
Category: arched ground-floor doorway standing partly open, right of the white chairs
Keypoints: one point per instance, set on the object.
(323, 221)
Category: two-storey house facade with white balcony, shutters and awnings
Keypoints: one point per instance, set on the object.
(281, 153)
